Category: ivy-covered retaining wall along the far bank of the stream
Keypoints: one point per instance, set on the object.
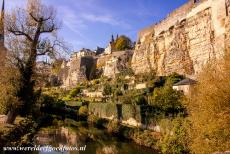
(133, 115)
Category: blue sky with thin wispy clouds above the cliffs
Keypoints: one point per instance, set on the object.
(90, 23)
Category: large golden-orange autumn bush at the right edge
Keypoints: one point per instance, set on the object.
(209, 109)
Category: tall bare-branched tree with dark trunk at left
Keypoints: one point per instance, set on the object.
(31, 33)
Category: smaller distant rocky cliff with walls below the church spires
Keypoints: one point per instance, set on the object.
(79, 69)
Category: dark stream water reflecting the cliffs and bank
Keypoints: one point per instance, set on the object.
(96, 141)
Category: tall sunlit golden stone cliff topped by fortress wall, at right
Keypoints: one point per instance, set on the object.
(183, 42)
